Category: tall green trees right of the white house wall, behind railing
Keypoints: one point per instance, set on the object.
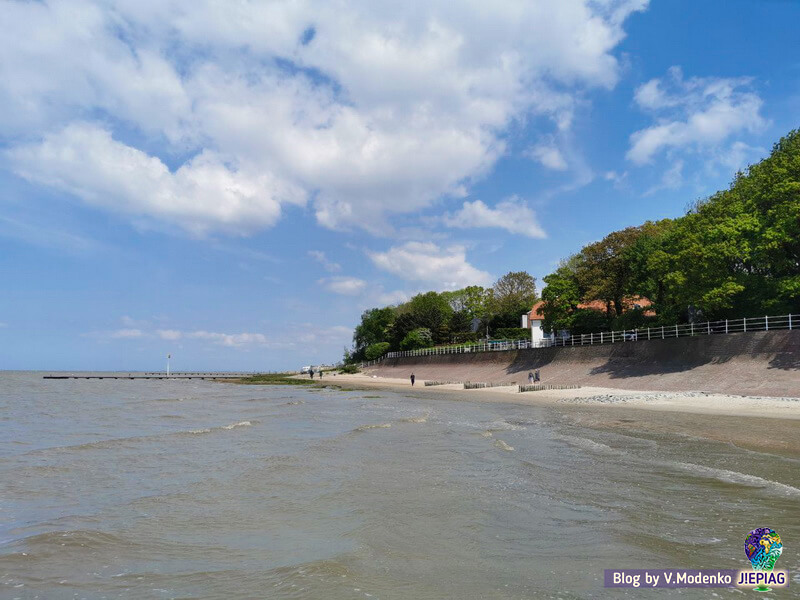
(734, 254)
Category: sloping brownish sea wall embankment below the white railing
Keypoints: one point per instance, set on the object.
(765, 363)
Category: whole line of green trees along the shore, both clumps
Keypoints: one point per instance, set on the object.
(734, 254)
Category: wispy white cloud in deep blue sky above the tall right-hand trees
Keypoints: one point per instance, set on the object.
(693, 113)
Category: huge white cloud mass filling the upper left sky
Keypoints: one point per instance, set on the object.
(386, 109)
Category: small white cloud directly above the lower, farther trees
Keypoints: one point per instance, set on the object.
(441, 268)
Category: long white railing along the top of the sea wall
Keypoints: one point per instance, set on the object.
(765, 323)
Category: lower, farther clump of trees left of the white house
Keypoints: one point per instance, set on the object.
(436, 318)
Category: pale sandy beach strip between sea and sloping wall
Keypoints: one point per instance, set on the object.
(764, 424)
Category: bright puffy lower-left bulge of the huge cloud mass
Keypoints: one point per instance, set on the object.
(205, 192)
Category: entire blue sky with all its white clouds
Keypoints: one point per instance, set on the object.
(235, 184)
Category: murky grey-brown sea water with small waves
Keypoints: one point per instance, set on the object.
(196, 489)
